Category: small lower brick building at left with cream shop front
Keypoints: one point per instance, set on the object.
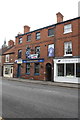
(8, 60)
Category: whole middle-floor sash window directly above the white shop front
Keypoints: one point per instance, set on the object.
(68, 48)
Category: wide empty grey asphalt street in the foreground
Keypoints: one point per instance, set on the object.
(27, 100)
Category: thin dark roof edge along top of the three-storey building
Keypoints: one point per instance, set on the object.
(53, 25)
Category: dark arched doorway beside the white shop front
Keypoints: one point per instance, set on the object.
(48, 72)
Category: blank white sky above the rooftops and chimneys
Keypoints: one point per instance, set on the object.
(14, 14)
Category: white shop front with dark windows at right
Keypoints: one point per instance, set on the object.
(67, 70)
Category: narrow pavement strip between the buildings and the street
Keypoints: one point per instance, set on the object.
(69, 85)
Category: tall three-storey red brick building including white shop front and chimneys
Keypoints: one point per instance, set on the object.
(50, 53)
